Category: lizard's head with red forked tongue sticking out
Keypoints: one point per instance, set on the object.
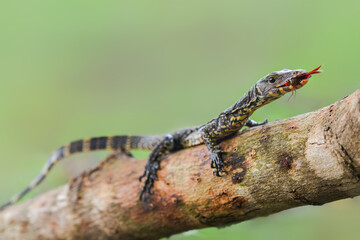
(277, 84)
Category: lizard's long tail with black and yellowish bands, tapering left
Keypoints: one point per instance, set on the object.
(87, 145)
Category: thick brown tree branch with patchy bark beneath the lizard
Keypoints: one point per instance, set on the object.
(310, 159)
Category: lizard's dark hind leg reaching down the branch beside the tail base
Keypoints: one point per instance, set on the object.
(153, 165)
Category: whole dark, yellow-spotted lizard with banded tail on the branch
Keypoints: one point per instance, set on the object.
(229, 122)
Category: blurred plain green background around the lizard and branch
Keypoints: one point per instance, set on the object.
(75, 69)
